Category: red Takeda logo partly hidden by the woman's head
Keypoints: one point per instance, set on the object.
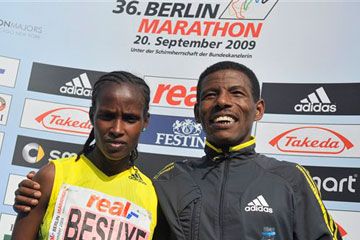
(68, 120)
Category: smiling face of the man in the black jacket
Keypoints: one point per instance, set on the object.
(226, 108)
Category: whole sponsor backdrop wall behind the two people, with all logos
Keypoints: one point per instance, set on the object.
(48, 70)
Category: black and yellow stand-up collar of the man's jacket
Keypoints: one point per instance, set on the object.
(215, 153)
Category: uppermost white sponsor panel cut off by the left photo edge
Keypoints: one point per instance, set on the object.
(8, 71)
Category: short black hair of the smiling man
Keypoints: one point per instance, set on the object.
(225, 65)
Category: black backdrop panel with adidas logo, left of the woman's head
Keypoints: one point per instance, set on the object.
(65, 81)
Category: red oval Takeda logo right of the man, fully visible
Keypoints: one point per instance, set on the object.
(311, 139)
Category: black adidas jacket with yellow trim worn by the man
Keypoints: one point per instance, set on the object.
(225, 196)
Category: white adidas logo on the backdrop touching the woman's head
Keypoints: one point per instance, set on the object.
(78, 86)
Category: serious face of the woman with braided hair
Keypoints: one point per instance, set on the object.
(118, 120)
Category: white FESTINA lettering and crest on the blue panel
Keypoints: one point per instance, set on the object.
(185, 134)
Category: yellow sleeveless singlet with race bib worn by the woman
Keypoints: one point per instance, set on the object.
(87, 204)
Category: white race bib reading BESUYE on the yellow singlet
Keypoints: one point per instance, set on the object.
(82, 213)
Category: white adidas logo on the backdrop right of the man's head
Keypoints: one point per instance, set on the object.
(317, 101)
